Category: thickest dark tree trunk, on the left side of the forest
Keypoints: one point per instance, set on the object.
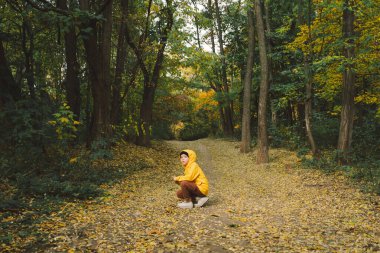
(97, 43)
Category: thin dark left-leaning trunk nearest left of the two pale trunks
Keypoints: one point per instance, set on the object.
(227, 108)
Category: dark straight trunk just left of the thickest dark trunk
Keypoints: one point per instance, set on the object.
(72, 83)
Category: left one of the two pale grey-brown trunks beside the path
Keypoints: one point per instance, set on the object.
(246, 122)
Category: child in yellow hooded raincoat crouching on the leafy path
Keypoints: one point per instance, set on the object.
(193, 184)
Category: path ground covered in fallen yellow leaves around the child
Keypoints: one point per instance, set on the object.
(273, 208)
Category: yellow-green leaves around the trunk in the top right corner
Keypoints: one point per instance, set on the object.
(323, 40)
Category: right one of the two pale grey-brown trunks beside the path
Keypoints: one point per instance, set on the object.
(262, 139)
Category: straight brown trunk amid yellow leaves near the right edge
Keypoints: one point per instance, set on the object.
(347, 114)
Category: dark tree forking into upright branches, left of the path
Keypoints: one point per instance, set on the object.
(150, 75)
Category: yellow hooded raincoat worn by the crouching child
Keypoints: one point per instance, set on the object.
(194, 173)
